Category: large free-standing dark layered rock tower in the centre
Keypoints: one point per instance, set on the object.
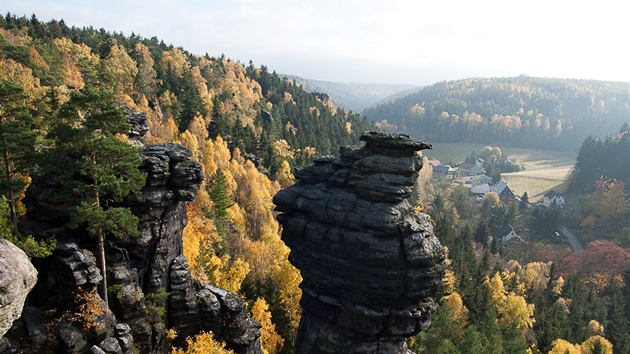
(369, 262)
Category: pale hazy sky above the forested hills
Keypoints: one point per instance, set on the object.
(414, 42)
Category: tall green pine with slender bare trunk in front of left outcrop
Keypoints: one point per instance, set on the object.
(97, 167)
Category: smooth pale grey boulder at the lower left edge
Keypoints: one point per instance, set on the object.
(17, 278)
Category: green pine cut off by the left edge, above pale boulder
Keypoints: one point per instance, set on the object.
(17, 142)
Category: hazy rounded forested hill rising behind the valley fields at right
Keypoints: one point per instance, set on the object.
(521, 111)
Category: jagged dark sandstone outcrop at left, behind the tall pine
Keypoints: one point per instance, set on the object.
(151, 289)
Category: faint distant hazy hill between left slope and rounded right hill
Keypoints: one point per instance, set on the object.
(351, 95)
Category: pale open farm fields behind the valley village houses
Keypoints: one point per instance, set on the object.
(544, 169)
